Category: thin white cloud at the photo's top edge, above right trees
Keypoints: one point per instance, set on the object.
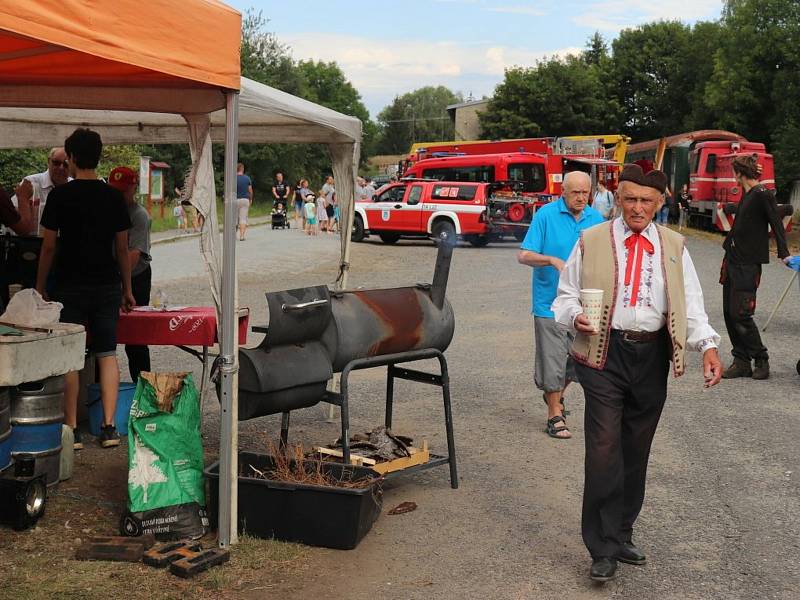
(613, 15)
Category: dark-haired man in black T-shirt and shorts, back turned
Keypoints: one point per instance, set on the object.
(93, 273)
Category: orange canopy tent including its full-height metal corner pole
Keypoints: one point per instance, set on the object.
(162, 56)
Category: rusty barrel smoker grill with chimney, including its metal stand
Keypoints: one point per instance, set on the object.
(314, 333)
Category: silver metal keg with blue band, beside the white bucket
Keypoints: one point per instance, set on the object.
(37, 412)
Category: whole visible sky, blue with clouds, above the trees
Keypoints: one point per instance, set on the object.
(387, 48)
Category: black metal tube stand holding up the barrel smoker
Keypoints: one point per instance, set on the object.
(441, 380)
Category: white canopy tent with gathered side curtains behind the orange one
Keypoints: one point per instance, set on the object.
(266, 115)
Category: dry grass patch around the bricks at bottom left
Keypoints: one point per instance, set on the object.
(40, 563)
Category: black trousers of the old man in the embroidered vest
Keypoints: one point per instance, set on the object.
(623, 405)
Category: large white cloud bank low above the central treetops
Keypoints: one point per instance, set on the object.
(383, 68)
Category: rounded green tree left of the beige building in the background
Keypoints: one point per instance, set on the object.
(418, 116)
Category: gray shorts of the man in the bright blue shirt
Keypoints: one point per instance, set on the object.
(553, 365)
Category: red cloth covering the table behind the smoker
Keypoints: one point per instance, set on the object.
(195, 326)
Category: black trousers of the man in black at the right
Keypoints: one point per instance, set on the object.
(739, 286)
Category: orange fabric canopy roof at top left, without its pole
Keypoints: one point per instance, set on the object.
(79, 46)
